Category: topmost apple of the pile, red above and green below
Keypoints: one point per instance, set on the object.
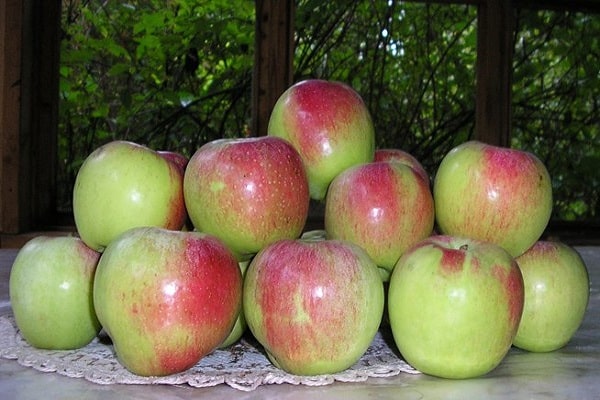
(329, 125)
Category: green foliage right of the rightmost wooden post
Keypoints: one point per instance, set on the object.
(556, 109)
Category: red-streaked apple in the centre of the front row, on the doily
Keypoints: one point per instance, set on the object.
(314, 305)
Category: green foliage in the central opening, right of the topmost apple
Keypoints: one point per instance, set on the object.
(413, 63)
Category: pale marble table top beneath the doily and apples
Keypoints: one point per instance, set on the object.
(569, 373)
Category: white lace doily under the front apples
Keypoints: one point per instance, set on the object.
(242, 366)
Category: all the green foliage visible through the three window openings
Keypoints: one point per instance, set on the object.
(176, 74)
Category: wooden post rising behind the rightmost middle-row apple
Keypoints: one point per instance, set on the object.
(493, 109)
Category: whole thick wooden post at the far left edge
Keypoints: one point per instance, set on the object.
(29, 50)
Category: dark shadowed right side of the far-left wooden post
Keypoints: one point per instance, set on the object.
(39, 119)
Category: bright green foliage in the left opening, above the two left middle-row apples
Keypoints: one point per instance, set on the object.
(172, 75)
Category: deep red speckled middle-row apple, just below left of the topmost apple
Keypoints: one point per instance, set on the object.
(248, 192)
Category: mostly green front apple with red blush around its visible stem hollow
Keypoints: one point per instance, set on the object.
(454, 306)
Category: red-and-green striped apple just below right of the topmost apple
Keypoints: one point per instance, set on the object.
(384, 207)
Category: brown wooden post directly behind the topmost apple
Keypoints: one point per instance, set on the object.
(273, 59)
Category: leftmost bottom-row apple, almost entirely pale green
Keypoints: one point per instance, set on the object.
(50, 288)
